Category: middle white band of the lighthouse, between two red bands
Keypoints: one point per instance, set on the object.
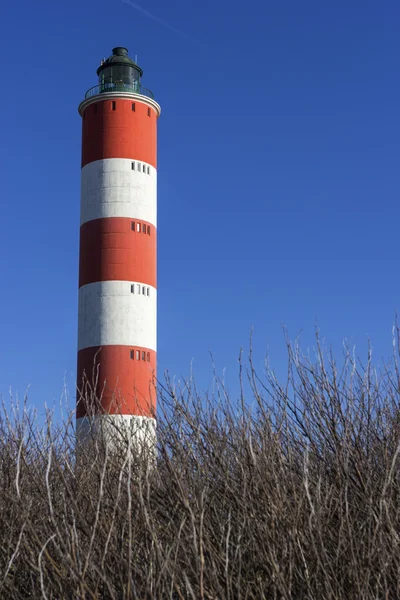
(110, 314)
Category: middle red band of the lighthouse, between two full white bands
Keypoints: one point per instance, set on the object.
(111, 251)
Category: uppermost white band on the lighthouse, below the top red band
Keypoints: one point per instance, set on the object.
(110, 188)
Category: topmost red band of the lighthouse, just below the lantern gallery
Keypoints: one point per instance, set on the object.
(119, 133)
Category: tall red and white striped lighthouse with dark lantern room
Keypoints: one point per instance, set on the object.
(117, 263)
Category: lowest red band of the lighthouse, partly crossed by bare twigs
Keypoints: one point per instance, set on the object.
(126, 386)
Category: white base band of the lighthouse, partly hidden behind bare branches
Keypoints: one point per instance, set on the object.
(123, 430)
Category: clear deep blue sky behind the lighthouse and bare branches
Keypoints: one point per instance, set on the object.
(278, 156)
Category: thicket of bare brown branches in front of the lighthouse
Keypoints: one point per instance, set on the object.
(290, 492)
